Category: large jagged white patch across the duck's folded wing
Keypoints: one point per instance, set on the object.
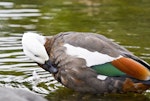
(92, 58)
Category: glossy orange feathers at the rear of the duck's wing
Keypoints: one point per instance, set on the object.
(132, 68)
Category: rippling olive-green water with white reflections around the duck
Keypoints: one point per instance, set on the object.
(125, 21)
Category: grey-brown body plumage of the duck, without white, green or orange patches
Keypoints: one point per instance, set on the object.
(73, 73)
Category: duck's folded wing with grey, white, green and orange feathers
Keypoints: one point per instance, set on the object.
(105, 56)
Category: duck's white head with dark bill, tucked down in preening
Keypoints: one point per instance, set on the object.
(33, 47)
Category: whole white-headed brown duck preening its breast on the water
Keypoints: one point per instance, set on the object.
(88, 62)
